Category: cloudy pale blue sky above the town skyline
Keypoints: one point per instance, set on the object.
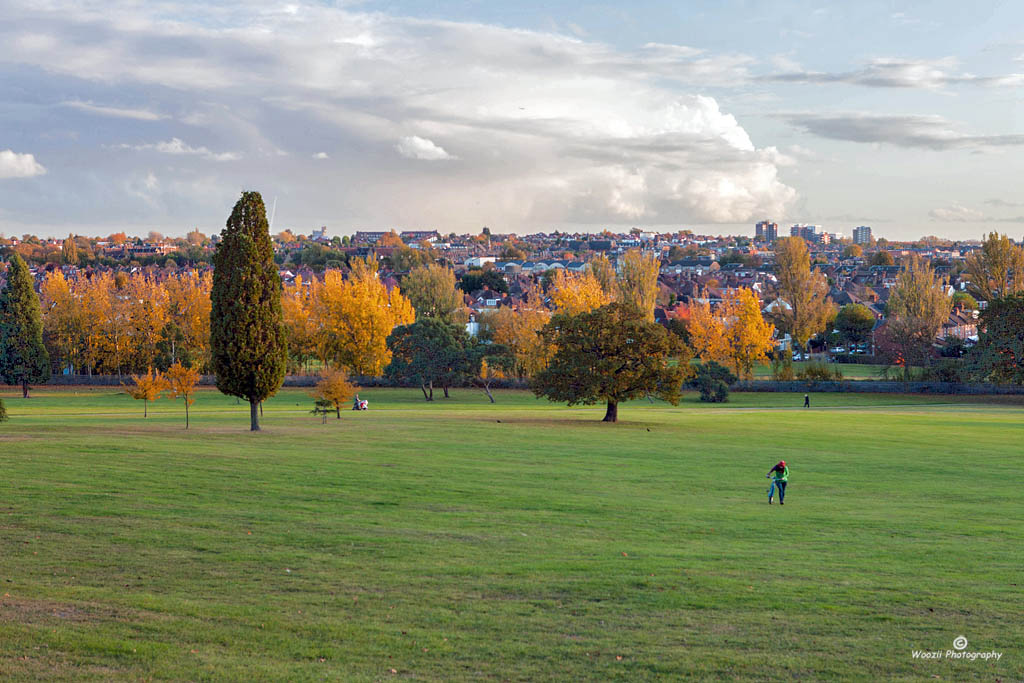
(522, 117)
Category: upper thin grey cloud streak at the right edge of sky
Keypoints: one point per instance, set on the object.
(890, 73)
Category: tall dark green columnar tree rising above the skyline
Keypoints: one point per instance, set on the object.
(247, 333)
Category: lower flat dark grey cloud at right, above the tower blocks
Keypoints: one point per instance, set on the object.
(932, 133)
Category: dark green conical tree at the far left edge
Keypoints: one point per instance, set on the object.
(23, 358)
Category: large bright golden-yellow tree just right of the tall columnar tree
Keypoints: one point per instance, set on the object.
(355, 318)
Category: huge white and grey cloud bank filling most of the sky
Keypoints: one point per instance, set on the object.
(549, 130)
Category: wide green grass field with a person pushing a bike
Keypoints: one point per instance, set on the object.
(520, 541)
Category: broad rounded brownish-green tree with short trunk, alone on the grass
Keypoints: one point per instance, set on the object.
(611, 355)
